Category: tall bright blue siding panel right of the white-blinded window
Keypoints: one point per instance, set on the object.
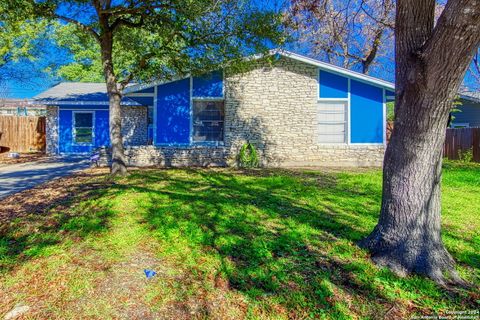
(366, 107)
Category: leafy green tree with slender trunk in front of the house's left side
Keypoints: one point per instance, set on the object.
(143, 40)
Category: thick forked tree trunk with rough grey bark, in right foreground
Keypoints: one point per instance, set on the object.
(430, 64)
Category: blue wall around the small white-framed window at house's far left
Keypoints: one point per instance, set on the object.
(101, 134)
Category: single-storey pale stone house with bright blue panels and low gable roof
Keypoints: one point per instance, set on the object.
(297, 112)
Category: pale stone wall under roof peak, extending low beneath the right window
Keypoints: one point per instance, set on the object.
(275, 108)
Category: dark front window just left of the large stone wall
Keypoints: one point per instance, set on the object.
(208, 121)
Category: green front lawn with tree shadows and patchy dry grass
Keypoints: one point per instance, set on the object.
(261, 244)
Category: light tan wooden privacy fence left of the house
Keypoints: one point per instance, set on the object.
(22, 134)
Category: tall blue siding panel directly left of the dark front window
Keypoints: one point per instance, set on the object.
(173, 112)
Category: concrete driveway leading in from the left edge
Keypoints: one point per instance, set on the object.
(18, 177)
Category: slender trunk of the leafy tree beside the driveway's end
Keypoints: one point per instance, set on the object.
(115, 96)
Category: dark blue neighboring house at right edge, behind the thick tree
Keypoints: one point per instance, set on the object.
(469, 114)
